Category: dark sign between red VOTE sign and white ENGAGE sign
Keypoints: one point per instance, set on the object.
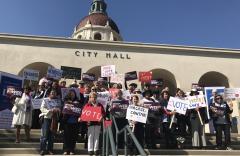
(119, 108)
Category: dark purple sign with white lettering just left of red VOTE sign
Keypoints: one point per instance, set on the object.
(71, 109)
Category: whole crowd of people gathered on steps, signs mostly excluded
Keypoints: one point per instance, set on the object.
(53, 112)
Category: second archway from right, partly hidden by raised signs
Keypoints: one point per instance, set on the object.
(167, 77)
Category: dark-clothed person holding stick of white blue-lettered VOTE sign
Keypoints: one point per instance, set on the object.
(167, 118)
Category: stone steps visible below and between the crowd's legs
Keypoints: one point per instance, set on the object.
(8, 145)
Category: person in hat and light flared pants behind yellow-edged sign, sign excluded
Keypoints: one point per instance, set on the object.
(198, 117)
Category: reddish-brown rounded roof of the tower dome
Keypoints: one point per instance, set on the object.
(97, 19)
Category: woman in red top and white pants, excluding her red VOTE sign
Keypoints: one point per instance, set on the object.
(94, 127)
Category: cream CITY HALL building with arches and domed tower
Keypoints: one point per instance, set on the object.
(96, 41)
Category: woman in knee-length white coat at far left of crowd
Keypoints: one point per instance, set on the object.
(23, 114)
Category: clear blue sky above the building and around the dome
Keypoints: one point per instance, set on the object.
(207, 23)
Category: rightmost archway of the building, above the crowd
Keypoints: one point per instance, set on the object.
(213, 78)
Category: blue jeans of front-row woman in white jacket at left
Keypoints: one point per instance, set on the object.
(46, 140)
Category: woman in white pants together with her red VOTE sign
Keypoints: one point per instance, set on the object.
(93, 121)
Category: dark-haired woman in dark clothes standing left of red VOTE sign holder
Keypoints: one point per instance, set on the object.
(71, 111)
